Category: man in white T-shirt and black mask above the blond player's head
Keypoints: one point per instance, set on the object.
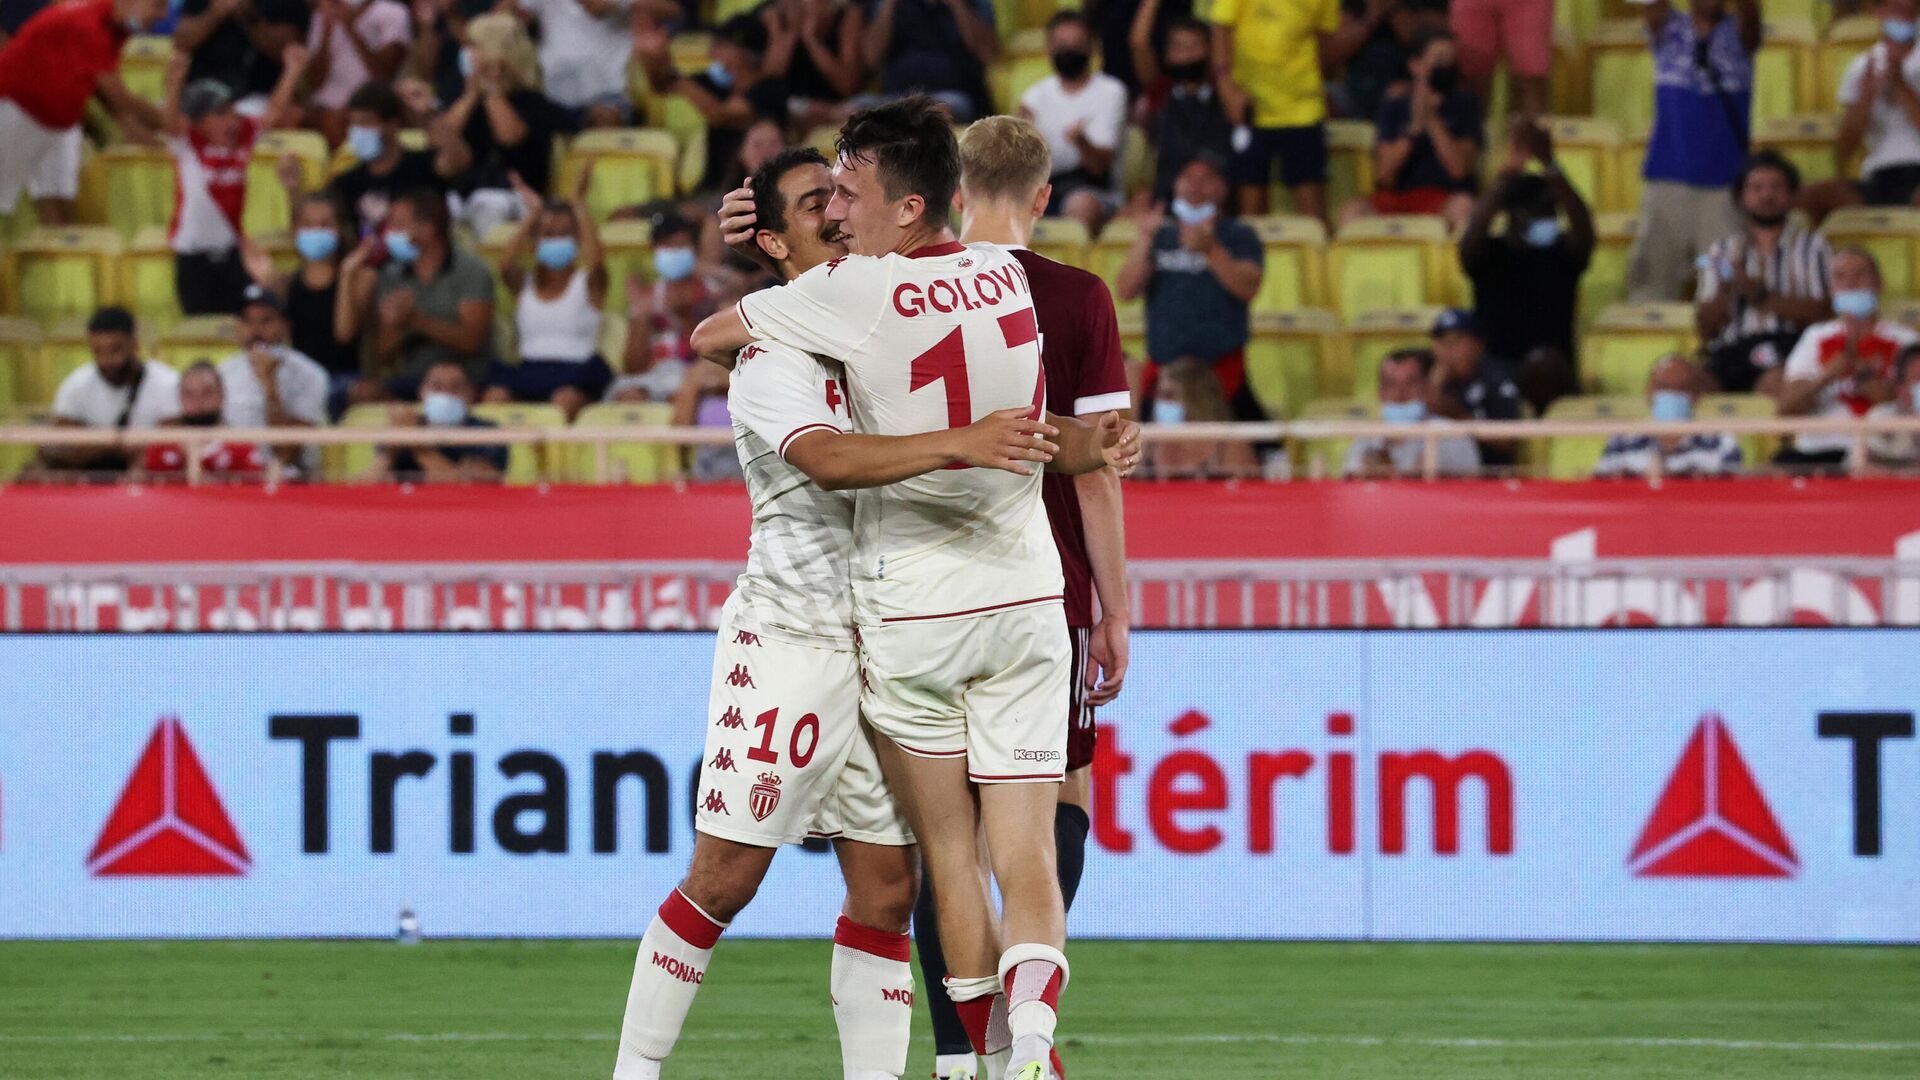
(1084, 118)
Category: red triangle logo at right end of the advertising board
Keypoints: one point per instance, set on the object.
(1714, 820)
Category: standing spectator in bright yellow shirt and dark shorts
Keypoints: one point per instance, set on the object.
(1270, 57)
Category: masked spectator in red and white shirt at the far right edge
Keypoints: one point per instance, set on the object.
(1842, 368)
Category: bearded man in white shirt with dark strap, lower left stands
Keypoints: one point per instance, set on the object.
(116, 391)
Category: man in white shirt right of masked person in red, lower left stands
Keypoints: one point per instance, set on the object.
(268, 381)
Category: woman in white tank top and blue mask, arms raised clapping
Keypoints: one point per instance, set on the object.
(558, 305)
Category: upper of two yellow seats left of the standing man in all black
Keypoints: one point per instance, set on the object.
(1387, 262)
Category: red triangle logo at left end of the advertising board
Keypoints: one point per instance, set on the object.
(170, 820)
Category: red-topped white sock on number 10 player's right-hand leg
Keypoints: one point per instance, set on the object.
(873, 1000)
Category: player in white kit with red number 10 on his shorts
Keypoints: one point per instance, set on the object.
(786, 752)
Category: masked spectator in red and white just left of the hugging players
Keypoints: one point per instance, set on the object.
(661, 318)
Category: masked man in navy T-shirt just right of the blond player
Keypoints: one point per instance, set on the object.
(1199, 272)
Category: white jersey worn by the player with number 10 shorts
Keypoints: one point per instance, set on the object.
(798, 579)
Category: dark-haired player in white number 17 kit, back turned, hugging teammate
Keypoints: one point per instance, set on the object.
(957, 581)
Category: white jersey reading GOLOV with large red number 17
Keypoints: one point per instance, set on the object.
(930, 341)
